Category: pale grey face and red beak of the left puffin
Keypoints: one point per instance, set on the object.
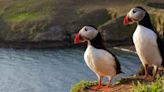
(86, 33)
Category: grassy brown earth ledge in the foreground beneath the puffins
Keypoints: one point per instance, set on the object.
(130, 84)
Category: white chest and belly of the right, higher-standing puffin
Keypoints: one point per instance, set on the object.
(145, 41)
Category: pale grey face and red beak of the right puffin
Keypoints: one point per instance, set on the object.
(134, 15)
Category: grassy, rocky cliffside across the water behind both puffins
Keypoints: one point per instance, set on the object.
(53, 23)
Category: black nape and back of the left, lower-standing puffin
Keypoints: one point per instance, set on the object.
(97, 42)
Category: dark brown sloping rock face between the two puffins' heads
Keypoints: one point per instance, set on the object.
(115, 33)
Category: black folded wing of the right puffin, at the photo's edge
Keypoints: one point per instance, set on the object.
(161, 48)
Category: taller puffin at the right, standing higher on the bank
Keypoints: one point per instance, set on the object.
(148, 44)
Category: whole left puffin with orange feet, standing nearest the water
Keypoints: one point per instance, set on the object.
(100, 60)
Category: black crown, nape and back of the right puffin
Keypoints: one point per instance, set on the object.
(146, 22)
